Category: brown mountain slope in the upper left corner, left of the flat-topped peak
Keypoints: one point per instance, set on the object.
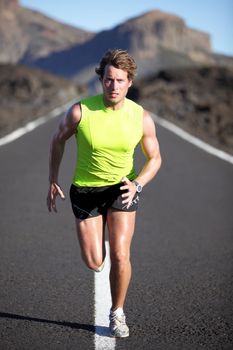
(27, 35)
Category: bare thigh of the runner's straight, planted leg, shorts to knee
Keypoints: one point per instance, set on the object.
(121, 226)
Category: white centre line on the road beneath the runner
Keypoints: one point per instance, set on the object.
(102, 307)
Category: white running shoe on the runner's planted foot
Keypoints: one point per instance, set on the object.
(118, 326)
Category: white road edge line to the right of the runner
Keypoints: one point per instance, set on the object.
(192, 139)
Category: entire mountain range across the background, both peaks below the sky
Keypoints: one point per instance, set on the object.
(156, 39)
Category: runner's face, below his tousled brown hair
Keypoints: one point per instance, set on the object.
(115, 84)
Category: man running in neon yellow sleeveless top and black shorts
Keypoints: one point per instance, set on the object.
(106, 189)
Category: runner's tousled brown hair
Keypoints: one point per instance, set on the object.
(119, 59)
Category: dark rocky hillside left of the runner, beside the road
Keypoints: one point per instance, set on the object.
(27, 93)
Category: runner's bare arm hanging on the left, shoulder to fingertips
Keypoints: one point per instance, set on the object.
(66, 129)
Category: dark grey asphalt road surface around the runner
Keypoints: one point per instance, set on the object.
(182, 254)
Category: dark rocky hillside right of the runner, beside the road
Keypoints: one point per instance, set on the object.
(199, 100)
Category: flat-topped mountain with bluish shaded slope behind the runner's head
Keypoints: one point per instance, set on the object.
(157, 40)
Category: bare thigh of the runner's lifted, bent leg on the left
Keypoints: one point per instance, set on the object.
(91, 237)
